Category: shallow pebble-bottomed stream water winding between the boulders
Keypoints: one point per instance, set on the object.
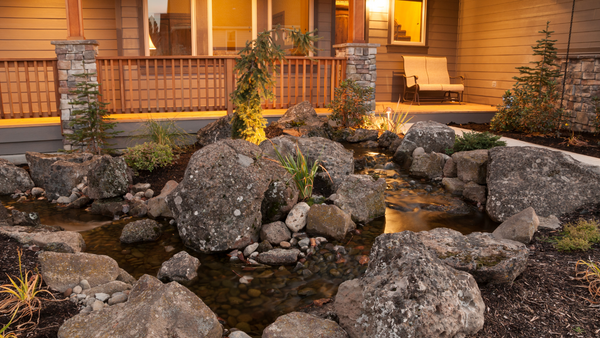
(411, 205)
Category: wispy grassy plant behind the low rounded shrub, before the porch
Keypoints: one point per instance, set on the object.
(162, 132)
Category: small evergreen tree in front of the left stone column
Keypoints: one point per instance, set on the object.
(91, 126)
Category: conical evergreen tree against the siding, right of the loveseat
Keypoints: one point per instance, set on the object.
(532, 105)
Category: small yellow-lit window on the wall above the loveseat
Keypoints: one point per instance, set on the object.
(408, 22)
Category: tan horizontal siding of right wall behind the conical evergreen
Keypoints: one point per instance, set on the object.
(496, 36)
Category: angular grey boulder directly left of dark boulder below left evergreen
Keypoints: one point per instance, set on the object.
(66, 175)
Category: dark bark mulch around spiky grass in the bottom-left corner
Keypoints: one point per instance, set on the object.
(54, 311)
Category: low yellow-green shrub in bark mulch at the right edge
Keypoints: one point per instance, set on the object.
(578, 236)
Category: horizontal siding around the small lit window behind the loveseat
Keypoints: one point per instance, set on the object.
(441, 40)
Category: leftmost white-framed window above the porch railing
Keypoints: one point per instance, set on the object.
(169, 27)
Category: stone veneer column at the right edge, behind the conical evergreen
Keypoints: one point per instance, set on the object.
(581, 86)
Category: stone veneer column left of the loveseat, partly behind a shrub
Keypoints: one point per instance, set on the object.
(361, 65)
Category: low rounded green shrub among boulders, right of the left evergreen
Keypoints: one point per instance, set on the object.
(148, 156)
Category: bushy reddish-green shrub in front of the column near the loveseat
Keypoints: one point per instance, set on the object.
(350, 103)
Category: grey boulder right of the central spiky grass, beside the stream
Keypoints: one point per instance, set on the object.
(362, 197)
